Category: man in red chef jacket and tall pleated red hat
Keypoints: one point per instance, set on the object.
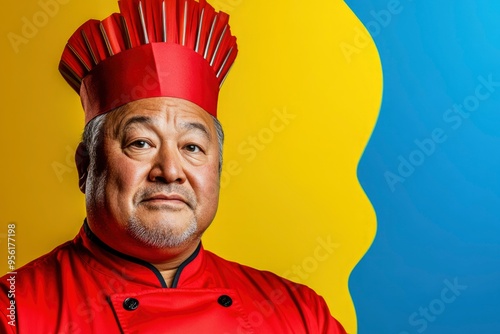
(149, 165)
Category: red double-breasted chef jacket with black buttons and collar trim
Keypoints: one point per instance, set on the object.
(84, 286)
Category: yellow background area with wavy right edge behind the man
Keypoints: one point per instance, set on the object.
(279, 204)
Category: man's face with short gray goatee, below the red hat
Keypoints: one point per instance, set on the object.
(157, 180)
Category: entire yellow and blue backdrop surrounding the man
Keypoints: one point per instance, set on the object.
(360, 155)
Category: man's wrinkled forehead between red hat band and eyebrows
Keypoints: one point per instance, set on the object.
(159, 110)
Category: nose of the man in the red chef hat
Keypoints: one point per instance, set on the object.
(167, 165)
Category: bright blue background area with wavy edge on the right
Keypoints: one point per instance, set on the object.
(438, 224)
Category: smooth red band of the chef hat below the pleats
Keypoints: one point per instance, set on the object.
(151, 70)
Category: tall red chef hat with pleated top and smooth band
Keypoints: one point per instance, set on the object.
(170, 48)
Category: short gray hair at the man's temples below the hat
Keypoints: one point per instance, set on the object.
(93, 136)
